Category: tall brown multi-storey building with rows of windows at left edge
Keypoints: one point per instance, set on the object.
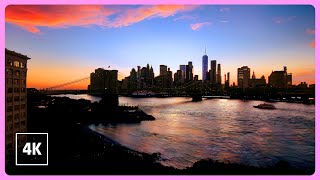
(15, 98)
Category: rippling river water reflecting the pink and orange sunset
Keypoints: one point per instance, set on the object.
(227, 130)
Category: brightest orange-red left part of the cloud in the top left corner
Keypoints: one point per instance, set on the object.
(31, 17)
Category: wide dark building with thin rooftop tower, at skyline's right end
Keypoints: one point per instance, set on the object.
(280, 79)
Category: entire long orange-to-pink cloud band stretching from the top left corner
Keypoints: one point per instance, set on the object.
(31, 17)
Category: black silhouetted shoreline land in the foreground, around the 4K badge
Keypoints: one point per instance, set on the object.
(74, 149)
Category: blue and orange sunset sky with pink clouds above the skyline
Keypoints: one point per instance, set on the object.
(66, 43)
